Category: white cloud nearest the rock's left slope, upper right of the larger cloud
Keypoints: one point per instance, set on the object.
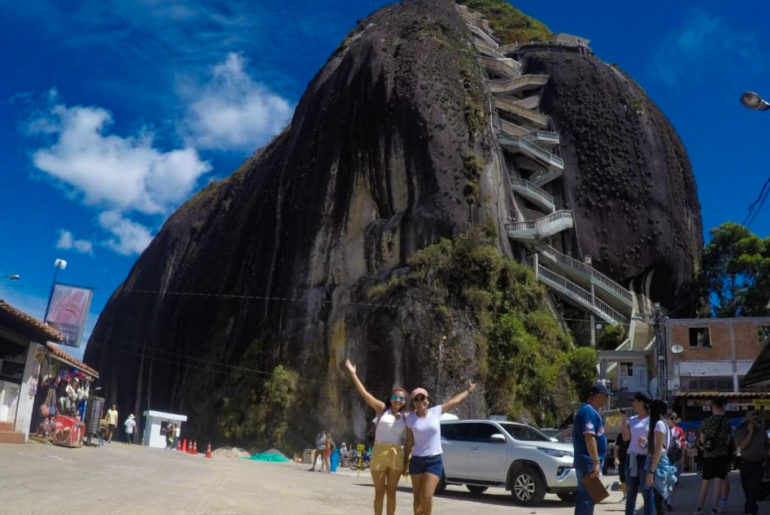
(231, 111)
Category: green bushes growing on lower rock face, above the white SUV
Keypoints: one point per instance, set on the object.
(524, 355)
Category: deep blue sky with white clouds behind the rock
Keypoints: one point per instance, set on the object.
(113, 113)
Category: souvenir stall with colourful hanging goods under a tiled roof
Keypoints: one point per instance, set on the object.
(62, 398)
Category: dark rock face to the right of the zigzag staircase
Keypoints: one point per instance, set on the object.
(628, 178)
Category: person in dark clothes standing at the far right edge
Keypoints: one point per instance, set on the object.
(753, 442)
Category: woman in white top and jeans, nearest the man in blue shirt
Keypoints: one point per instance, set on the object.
(635, 432)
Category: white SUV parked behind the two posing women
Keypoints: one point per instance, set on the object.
(484, 453)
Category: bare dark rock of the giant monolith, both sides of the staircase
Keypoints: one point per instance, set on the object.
(389, 150)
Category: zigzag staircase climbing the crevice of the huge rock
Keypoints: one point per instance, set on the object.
(535, 171)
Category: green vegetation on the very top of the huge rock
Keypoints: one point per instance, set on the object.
(509, 24)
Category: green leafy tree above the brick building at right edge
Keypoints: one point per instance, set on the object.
(736, 271)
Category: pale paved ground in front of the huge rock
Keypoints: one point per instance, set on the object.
(39, 479)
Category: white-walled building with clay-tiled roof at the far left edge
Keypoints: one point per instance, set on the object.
(22, 350)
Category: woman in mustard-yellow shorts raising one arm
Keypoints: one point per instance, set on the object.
(387, 461)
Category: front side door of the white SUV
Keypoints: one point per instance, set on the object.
(488, 458)
